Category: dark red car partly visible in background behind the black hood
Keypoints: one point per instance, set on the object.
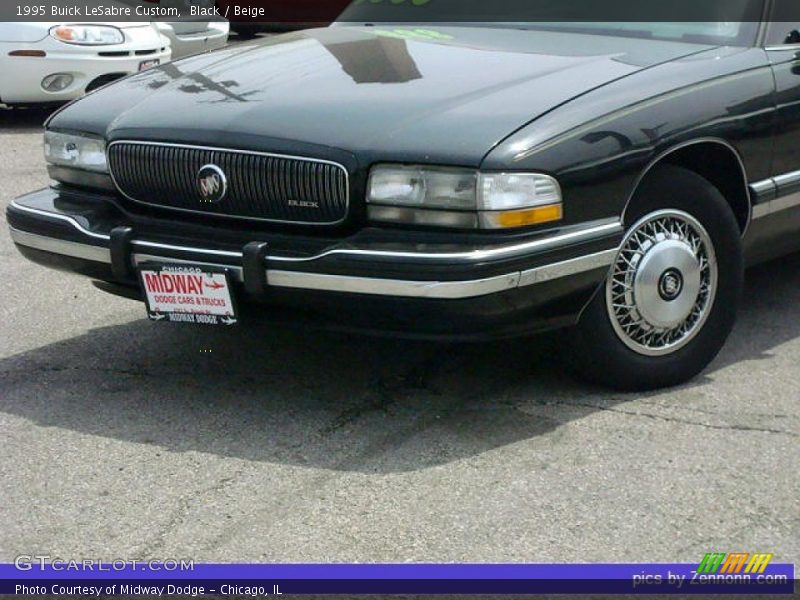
(279, 15)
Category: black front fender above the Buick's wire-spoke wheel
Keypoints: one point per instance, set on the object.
(599, 145)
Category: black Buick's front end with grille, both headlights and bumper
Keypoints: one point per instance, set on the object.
(420, 250)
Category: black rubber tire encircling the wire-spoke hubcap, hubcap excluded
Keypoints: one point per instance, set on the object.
(597, 351)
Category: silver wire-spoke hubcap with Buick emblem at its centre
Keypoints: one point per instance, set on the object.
(663, 283)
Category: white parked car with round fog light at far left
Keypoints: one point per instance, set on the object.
(56, 62)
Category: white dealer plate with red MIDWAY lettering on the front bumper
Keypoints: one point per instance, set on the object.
(188, 294)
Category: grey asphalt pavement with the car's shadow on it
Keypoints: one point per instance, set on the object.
(122, 438)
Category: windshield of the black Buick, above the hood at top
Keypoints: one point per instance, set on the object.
(724, 22)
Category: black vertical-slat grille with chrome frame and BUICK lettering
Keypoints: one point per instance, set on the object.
(261, 186)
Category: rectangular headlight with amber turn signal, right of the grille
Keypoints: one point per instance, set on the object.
(462, 198)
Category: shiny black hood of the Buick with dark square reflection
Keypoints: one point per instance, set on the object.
(444, 94)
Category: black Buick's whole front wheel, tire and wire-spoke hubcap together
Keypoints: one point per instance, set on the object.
(671, 296)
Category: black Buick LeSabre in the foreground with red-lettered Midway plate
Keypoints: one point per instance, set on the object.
(460, 181)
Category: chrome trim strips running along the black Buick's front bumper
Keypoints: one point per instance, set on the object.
(297, 273)
